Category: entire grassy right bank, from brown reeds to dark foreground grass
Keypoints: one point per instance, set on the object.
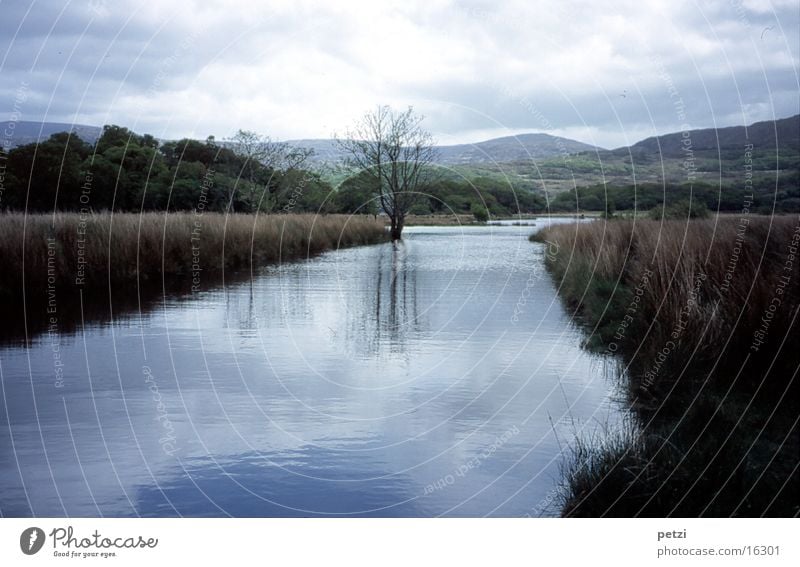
(704, 316)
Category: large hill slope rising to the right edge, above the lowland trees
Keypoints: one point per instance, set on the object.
(718, 157)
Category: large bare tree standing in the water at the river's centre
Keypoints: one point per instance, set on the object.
(396, 152)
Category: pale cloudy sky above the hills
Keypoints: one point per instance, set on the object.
(477, 69)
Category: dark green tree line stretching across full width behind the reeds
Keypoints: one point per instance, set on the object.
(125, 171)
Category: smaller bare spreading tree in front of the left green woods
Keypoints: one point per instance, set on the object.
(261, 152)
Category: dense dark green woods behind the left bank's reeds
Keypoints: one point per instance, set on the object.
(125, 171)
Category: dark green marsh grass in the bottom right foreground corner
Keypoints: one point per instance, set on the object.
(721, 459)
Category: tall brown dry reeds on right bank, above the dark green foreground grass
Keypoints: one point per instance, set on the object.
(696, 290)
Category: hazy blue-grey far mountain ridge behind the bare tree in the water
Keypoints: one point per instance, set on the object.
(498, 150)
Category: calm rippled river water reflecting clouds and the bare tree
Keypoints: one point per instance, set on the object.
(438, 377)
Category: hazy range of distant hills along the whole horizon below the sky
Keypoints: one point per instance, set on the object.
(516, 154)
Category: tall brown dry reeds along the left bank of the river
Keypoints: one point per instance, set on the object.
(129, 249)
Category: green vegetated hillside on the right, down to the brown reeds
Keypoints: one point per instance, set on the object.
(722, 166)
